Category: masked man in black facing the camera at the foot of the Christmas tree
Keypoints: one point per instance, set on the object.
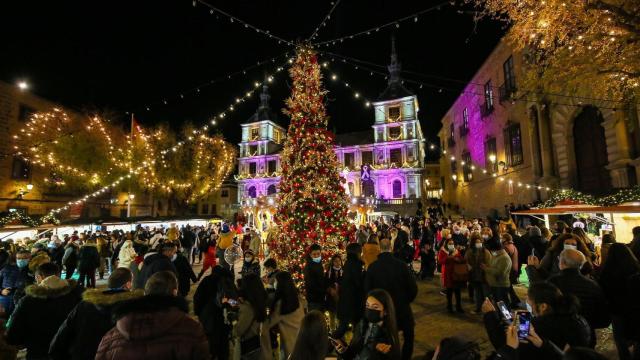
(314, 280)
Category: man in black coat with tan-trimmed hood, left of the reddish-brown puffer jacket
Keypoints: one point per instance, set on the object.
(79, 335)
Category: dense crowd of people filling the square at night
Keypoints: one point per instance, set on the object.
(354, 304)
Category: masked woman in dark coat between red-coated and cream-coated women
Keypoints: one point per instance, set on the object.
(476, 257)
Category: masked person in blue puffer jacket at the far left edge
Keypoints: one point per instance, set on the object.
(14, 277)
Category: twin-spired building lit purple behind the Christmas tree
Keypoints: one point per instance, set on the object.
(383, 166)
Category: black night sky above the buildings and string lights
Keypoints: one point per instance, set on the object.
(122, 56)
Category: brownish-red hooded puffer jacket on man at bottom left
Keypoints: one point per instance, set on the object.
(154, 327)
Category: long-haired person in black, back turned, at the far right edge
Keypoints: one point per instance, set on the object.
(620, 281)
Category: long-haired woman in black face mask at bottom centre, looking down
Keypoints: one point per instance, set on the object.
(376, 336)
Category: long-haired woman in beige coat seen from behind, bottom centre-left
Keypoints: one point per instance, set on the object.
(285, 313)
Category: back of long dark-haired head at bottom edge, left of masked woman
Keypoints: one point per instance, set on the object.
(313, 339)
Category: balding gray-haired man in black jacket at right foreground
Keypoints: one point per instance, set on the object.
(570, 281)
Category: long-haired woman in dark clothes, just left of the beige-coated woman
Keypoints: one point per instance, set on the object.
(252, 312)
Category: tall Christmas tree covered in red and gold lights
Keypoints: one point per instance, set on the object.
(312, 204)
